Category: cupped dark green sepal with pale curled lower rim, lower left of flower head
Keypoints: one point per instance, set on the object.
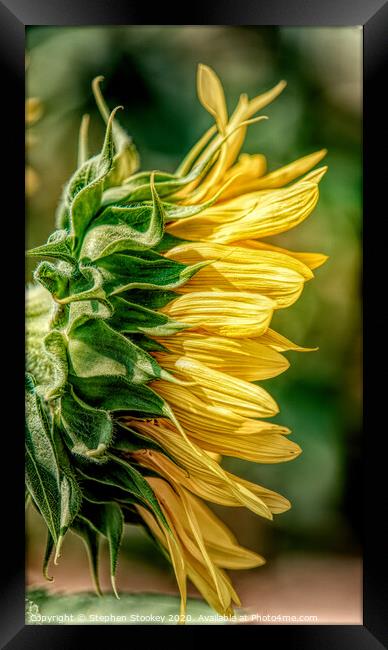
(88, 430)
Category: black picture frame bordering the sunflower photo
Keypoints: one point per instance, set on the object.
(373, 16)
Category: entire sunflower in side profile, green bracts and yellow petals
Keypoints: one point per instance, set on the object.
(148, 332)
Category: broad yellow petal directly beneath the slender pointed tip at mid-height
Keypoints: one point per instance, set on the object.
(242, 358)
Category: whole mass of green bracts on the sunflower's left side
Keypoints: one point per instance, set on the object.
(90, 313)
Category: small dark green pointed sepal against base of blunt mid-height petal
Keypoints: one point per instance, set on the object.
(131, 318)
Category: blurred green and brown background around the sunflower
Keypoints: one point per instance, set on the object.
(313, 551)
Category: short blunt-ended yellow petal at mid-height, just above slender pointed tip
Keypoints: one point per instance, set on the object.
(228, 313)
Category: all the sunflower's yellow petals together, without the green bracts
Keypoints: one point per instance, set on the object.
(228, 307)
